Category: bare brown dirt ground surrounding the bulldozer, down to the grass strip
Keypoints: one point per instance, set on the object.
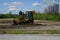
(38, 25)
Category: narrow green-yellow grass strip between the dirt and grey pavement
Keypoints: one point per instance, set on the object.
(29, 31)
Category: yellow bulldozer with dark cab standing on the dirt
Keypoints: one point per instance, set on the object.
(24, 18)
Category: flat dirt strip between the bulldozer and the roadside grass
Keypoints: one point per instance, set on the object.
(30, 27)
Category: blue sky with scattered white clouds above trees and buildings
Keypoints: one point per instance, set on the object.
(15, 6)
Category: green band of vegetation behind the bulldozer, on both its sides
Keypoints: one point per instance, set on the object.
(37, 16)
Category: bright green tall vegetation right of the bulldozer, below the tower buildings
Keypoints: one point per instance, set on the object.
(46, 16)
